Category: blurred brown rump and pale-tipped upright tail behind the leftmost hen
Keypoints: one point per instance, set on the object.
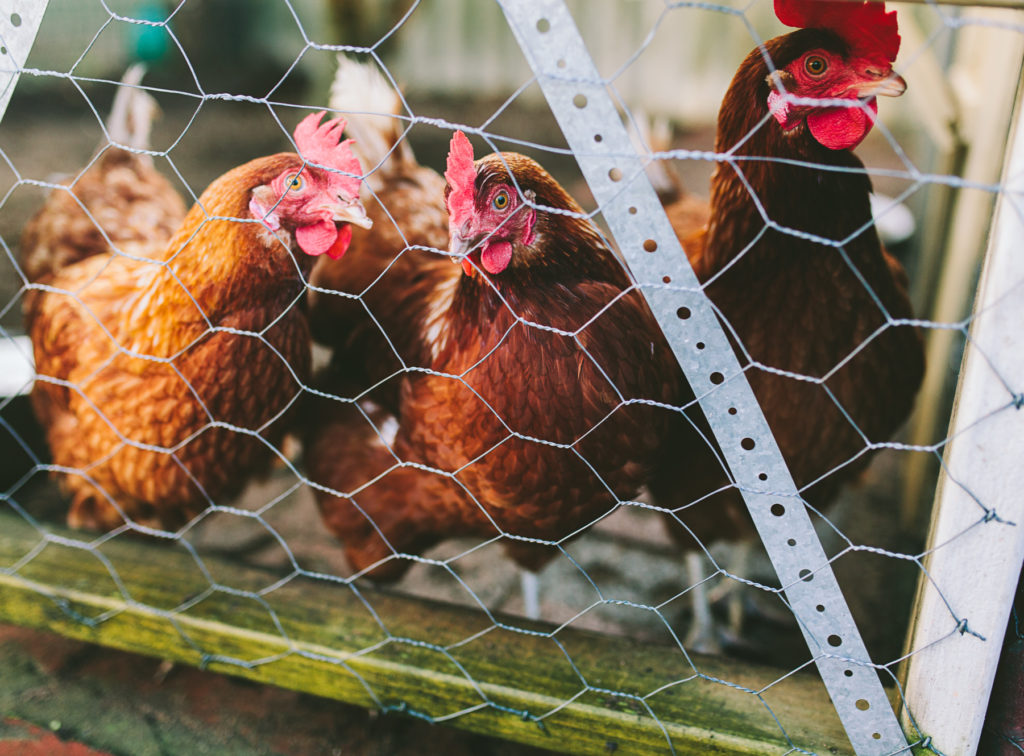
(119, 199)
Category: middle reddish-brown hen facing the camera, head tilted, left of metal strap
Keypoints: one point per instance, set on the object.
(532, 419)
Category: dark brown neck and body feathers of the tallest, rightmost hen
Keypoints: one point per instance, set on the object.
(794, 305)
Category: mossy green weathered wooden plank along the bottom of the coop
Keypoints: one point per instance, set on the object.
(432, 660)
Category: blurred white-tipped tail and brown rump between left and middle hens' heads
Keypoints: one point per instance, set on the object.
(366, 307)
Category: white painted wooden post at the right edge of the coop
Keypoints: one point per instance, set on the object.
(975, 561)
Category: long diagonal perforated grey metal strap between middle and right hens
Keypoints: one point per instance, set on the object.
(594, 131)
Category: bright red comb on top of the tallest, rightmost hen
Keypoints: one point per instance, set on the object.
(866, 26)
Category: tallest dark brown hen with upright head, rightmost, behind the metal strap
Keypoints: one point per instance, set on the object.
(817, 307)
